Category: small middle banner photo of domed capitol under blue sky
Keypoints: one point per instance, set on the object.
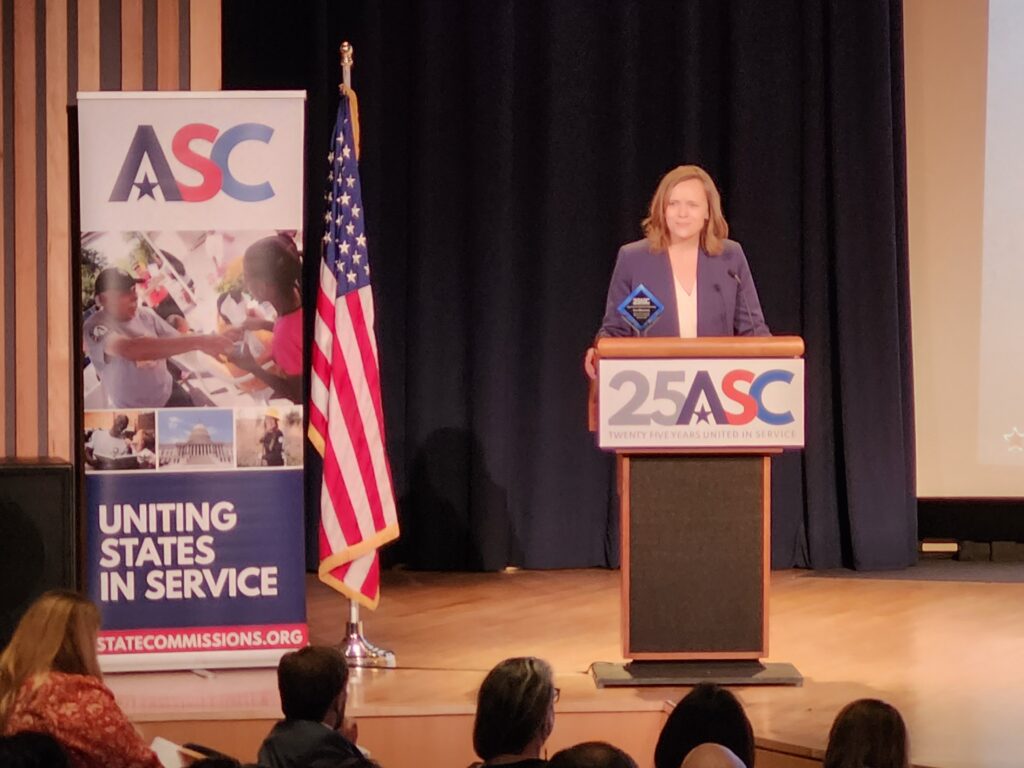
(196, 439)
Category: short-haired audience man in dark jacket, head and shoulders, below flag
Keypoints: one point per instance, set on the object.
(313, 685)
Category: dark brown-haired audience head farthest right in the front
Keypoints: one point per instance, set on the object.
(868, 733)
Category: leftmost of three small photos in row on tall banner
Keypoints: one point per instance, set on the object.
(120, 441)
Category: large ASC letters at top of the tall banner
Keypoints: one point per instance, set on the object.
(215, 168)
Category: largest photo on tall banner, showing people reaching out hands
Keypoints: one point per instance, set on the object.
(181, 319)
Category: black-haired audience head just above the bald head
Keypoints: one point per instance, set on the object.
(707, 714)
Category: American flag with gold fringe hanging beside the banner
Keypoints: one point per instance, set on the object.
(347, 421)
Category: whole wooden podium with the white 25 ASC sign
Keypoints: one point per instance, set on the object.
(695, 423)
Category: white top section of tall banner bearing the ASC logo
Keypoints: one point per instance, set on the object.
(226, 161)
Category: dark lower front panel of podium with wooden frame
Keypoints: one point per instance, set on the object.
(695, 558)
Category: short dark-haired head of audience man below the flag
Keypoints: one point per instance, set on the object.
(313, 684)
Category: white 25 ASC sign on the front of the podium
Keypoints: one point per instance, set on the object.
(672, 404)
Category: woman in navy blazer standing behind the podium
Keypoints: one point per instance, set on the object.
(686, 278)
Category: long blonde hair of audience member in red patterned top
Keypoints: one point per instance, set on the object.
(58, 633)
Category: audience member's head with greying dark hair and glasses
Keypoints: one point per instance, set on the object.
(515, 709)
